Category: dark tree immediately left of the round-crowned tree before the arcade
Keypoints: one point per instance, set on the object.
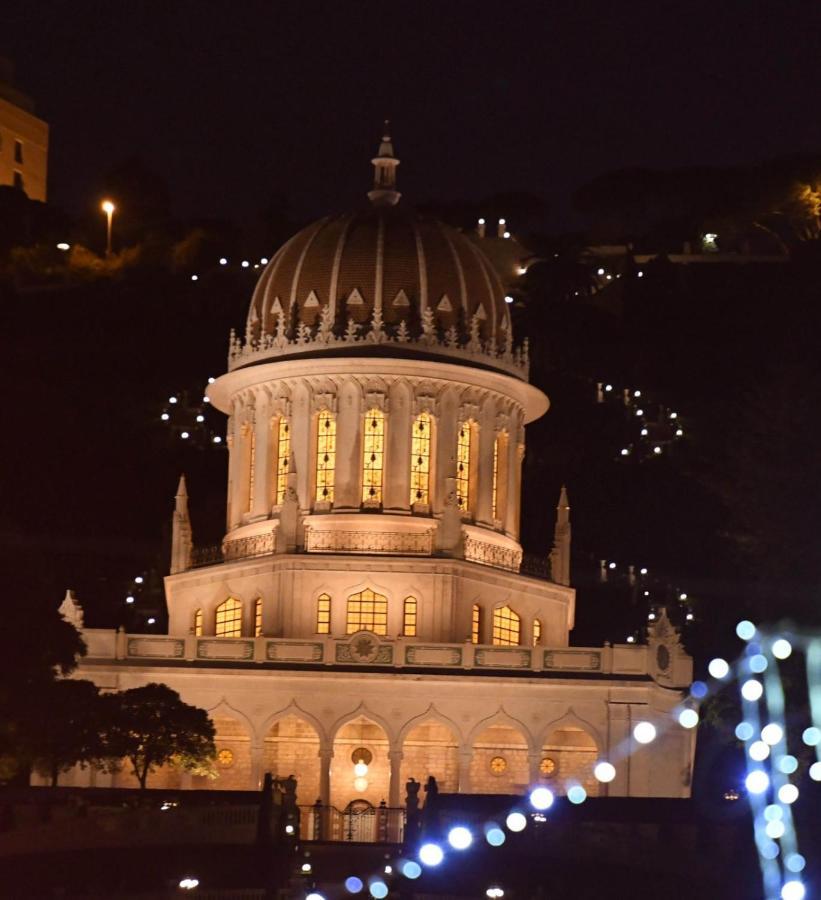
(71, 733)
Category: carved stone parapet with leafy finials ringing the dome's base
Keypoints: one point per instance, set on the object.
(464, 345)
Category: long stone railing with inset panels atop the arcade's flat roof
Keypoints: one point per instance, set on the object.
(369, 650)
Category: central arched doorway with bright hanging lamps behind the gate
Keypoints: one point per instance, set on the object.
(360, 769)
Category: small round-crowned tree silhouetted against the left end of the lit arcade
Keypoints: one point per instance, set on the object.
(151, 726)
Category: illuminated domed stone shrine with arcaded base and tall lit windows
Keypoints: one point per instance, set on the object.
(369, 617)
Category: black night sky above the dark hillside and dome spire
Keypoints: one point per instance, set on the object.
(232, 103)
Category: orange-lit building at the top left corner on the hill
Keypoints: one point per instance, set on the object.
(23, 139)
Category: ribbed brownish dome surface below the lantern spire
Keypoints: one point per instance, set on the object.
(380, 259)
